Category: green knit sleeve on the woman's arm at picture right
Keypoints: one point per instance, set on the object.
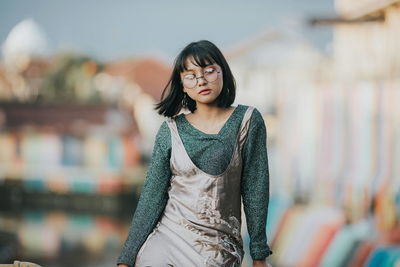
(255, 186)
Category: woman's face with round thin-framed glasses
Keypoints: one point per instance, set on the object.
(208, 85)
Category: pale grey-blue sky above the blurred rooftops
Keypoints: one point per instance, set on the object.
(118, 29)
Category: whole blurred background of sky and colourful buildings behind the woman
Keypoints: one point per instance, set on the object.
(79, 80)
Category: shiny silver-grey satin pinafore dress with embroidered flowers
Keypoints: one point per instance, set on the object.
(201, 223)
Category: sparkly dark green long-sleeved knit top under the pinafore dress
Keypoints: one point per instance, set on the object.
(209, 152)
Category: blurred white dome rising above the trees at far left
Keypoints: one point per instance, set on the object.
(25, 40)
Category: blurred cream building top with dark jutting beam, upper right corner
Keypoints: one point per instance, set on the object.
(367, 39)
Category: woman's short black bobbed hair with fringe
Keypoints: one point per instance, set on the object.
(204, 53)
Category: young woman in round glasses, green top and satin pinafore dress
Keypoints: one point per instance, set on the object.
(203, 163)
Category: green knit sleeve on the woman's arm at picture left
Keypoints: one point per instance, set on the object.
(153, 197)
